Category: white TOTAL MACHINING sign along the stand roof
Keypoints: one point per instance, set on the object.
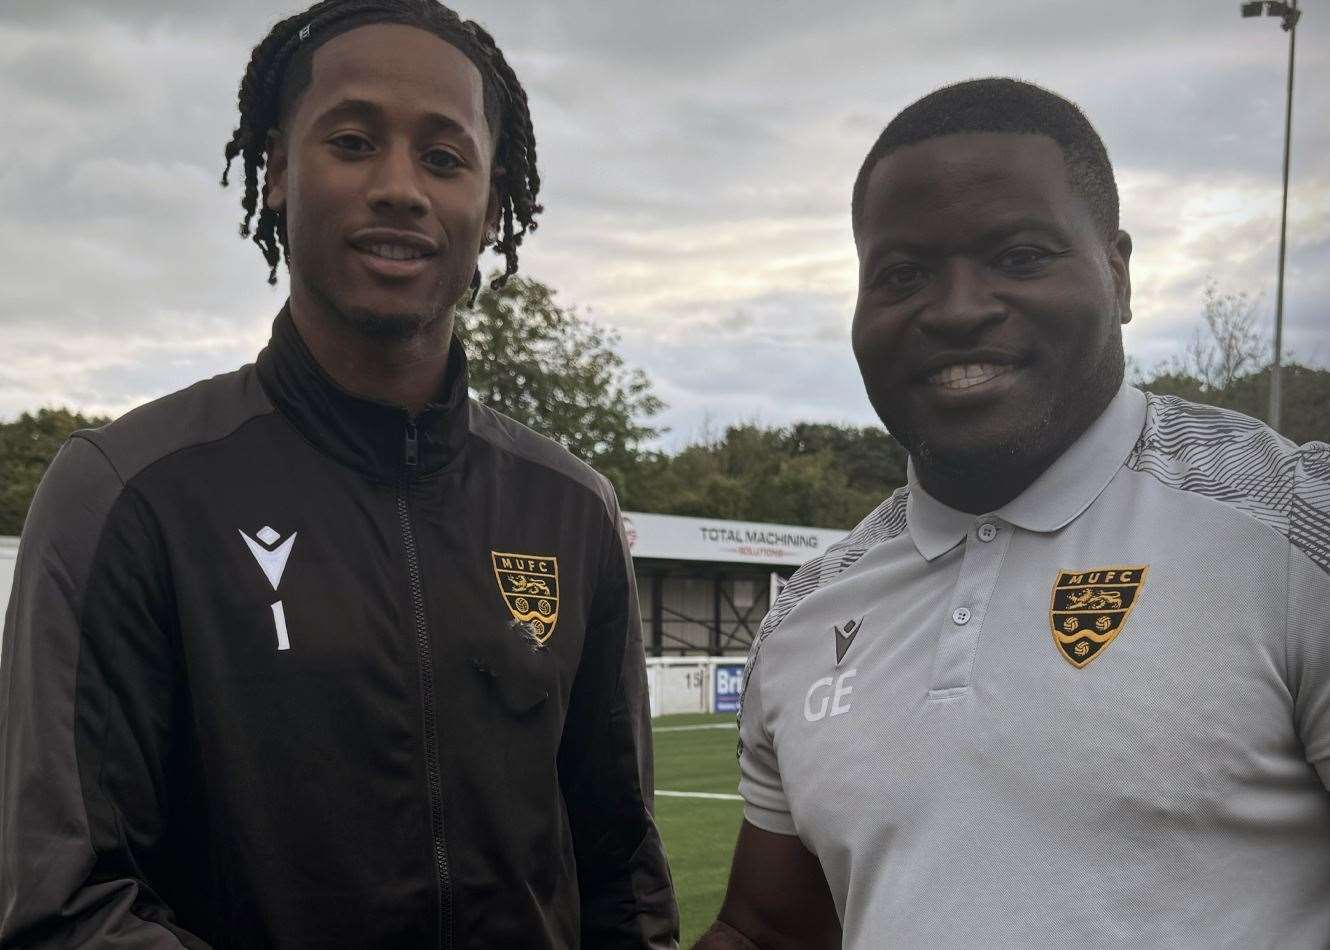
(674, 538)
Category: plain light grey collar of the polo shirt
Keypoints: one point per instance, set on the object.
(1057, 498)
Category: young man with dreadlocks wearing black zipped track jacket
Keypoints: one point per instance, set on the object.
(323, 653)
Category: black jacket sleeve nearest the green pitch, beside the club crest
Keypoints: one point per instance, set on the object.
(607, 775)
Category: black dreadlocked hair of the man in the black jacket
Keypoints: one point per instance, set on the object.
(280, 70)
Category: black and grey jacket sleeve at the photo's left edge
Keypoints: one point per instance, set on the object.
(84, 712)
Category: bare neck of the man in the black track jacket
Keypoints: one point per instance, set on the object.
(405, 368)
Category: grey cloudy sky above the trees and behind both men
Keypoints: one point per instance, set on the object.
(698, 159)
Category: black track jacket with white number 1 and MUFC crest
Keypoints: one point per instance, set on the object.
(285, 669)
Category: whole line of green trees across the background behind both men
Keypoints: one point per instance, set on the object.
(554, 371)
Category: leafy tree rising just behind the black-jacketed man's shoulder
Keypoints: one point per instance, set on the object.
(554, 371)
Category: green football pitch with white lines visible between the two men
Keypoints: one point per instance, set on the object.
(695, 760)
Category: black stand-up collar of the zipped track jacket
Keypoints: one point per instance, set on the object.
(364, 434)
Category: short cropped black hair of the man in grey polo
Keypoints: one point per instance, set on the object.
(1001, 104)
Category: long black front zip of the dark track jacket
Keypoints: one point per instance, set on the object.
(425, 659)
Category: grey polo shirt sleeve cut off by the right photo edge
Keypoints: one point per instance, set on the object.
(1309, 606)
